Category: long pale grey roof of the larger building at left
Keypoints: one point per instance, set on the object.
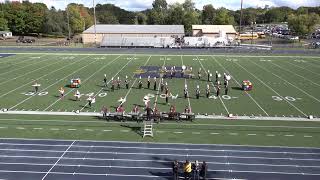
(122, 29)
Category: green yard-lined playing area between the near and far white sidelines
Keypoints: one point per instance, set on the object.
(283, 86)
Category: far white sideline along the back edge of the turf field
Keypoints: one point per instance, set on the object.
(146, 54)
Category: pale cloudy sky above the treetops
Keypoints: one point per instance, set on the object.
(136, 5)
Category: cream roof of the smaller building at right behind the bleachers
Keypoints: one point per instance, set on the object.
(214, 28)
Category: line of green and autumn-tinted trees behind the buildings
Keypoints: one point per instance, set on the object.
(27, 18)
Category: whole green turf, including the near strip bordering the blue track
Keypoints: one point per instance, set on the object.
(282, 86)
